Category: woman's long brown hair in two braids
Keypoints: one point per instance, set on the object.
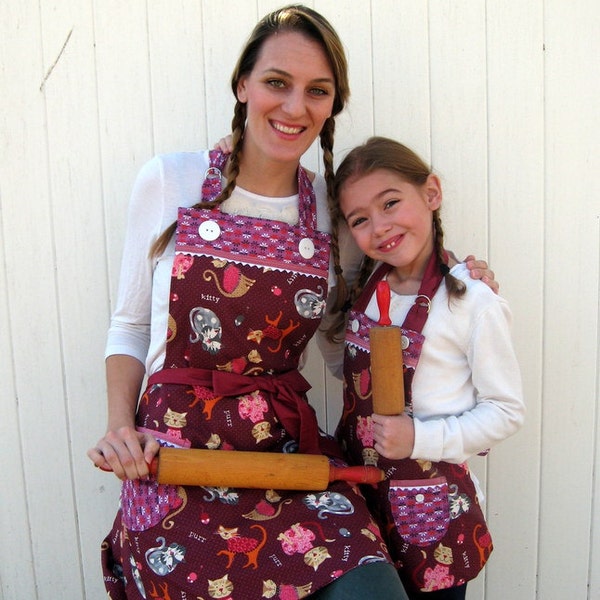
(300, 19)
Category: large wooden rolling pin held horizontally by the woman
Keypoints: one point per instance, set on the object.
(259, 470)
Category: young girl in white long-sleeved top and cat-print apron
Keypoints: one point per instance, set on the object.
(462, 381)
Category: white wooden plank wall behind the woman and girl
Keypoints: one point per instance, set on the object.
(502, 97)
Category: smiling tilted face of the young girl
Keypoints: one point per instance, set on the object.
(391, 219)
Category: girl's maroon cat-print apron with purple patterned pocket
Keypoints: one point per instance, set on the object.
(429, 512)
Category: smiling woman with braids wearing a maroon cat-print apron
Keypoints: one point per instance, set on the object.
(219, 309)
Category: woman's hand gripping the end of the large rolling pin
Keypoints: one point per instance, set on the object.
(126, 452)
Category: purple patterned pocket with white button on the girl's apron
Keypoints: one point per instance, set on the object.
(421, 509)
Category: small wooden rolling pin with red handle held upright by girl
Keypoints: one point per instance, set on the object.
(385, 341)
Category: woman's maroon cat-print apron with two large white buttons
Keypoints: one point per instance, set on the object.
(246, 297)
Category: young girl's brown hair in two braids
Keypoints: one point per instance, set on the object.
(379, 153)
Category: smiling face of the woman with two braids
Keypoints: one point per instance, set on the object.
(289, 95)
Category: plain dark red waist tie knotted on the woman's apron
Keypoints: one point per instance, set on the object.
(289, 403)
